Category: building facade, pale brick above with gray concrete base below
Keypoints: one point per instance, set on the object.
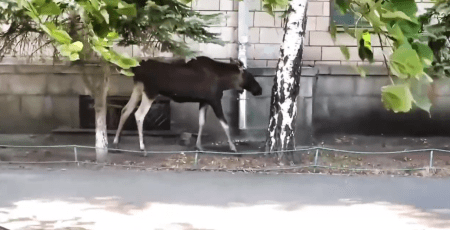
(39, 97)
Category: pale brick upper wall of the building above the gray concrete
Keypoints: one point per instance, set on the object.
(266, 34)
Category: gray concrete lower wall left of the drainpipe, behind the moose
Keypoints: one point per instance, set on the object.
(39, 98)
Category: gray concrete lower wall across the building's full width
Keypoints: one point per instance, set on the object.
(38, 98)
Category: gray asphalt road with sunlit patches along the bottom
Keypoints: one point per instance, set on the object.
(111, 199)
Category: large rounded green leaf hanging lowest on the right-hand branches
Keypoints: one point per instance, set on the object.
(397, 98)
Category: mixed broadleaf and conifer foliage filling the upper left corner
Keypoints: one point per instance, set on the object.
(77, 27)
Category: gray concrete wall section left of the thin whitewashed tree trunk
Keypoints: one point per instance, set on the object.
(33, 99)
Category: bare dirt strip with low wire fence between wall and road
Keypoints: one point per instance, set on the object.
(399, 164)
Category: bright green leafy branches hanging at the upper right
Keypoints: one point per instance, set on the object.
(396, 21)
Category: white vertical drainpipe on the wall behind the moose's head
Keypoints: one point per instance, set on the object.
(243, 16)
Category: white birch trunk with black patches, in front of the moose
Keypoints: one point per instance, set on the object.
(283, 106)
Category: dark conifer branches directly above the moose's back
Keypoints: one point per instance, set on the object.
(161, 23)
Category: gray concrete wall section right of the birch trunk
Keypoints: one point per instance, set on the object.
(348, 104)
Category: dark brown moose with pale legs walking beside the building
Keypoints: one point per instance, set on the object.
(201, 80)
